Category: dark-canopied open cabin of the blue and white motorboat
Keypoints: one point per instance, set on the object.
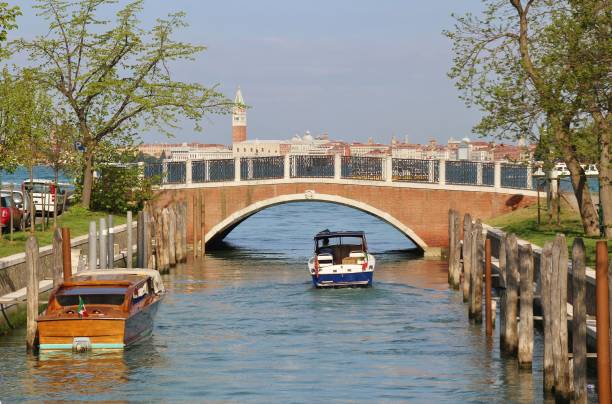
(340, 247)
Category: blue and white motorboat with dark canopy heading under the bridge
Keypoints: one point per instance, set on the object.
(341, 259)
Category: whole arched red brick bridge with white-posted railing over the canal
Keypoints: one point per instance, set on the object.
(414, 196)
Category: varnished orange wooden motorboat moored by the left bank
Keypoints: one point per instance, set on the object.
(102, 309)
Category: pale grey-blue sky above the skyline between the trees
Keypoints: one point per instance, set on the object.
(354, 69)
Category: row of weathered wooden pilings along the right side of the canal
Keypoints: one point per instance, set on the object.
(520, 291)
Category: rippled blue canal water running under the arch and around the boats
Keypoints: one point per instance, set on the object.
(246, 325)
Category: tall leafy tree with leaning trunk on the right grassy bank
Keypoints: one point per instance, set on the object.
(521, 70)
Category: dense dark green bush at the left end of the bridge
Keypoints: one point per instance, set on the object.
(120, 188)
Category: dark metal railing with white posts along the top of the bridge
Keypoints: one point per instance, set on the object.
(442, 172)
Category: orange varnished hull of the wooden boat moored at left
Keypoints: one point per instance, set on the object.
(101, 333)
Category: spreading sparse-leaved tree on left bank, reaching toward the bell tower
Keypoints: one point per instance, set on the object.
(116, 79)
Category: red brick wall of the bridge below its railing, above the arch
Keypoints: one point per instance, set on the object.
(425, 211)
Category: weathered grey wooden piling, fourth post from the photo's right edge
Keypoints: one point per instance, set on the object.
(546, 269)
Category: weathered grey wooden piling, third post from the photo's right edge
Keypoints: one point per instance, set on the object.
(559, 331)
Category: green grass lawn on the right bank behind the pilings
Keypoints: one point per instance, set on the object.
(524, 223)
